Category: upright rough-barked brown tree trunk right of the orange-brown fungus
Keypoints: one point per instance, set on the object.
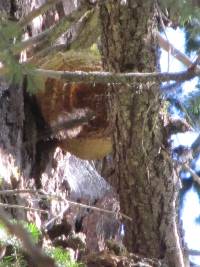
(145, 179)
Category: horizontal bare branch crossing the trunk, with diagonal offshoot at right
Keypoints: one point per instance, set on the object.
(107, 77)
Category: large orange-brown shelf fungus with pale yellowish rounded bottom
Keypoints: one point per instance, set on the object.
(60, 102)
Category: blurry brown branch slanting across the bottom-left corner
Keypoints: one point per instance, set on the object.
(35, 253)
